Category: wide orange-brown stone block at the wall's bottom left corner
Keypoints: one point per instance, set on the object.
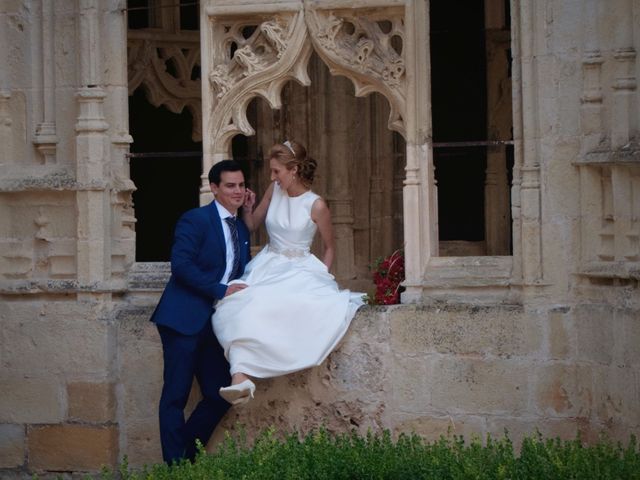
(72, 447)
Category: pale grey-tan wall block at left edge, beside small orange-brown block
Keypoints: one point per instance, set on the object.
(31, 400)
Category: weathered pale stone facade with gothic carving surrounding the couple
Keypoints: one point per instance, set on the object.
(545, 338)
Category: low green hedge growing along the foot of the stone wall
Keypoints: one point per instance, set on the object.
(321, 455)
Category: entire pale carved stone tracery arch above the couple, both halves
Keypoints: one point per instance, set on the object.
(255, 56)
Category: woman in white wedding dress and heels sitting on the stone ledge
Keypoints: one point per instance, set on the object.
(292, 313)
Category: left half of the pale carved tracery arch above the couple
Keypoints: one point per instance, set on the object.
(252, 57)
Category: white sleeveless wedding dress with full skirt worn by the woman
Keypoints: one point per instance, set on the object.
(292, 314)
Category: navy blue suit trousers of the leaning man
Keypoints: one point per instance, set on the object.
(186, 357)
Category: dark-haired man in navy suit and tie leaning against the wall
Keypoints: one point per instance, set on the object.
(209, 250)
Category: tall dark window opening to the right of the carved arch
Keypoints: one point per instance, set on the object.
(464, 127)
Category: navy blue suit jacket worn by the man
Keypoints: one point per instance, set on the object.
(198, 262)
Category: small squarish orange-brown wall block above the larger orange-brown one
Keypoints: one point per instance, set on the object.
(91, 402)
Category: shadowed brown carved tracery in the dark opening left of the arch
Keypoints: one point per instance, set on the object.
(170, 75)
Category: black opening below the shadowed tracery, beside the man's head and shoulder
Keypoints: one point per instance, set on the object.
(167, 178)
